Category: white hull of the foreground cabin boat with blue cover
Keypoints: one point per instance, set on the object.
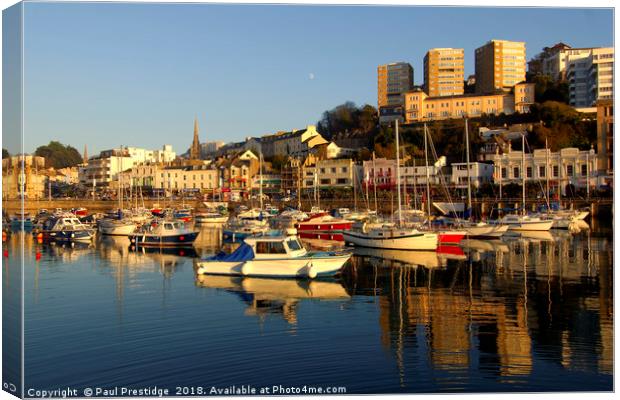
(302, 267)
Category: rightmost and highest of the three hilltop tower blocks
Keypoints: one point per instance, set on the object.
(500, 64)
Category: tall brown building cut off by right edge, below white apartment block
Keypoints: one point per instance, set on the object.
(605, 136)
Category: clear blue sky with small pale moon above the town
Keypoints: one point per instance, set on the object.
(136, 74)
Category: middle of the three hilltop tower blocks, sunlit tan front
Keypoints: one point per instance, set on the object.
(444, 72)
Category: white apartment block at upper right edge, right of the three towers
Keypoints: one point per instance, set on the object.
(590, 76)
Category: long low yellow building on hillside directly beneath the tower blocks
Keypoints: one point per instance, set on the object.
(421, 107)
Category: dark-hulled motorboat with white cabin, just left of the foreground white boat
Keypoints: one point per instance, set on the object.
(164, 233)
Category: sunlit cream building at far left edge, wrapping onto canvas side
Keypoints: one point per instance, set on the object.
(24, 176)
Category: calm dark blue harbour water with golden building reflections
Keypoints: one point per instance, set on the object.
(523, 314)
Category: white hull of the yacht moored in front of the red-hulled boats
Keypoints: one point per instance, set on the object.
(419, 241)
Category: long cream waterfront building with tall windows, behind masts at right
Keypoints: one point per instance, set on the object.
(569, 166)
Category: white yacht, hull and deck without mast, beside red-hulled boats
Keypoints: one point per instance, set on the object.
(393, 238)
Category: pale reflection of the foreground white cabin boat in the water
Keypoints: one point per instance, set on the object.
(265, 296)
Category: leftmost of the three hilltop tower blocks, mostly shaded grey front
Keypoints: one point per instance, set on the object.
(392, 81)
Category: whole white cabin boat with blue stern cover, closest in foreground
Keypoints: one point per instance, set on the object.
(282, 256)
